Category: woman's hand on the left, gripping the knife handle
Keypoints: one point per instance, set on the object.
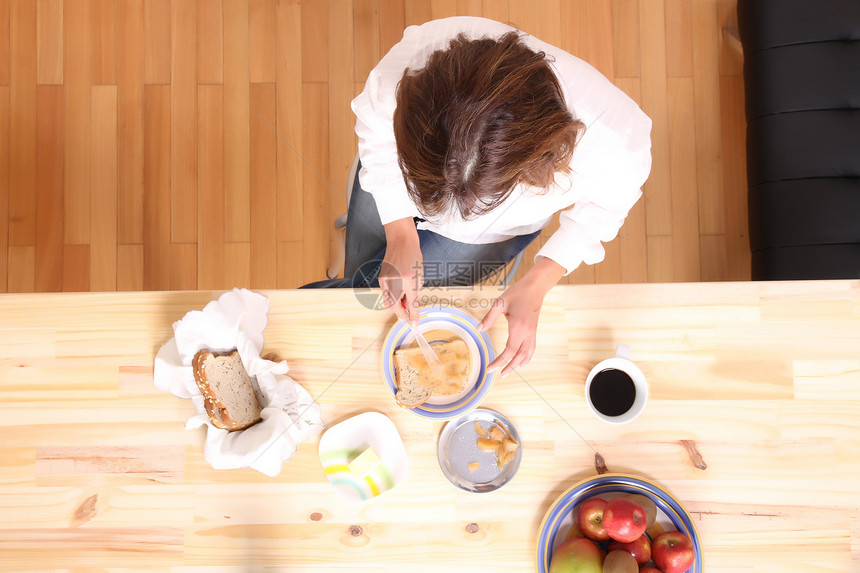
(402, 271)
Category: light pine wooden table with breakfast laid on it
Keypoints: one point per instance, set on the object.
(762, 379)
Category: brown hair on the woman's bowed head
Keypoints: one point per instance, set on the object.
(479, 118)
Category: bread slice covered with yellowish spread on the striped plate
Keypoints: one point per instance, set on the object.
(417, 382)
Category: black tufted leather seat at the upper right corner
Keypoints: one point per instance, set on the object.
(802, 81)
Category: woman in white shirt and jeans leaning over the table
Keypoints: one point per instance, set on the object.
(471, 137)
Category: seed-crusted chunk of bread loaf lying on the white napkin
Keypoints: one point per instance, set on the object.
(227, 389)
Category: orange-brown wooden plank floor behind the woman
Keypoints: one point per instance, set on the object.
(185, 144)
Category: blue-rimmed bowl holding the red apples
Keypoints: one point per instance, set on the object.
(559, 518)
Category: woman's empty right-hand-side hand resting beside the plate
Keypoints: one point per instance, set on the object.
(521, 304)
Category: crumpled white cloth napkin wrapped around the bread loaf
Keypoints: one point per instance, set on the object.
(290, 416)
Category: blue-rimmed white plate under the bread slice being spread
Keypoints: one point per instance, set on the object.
(454, 322)
